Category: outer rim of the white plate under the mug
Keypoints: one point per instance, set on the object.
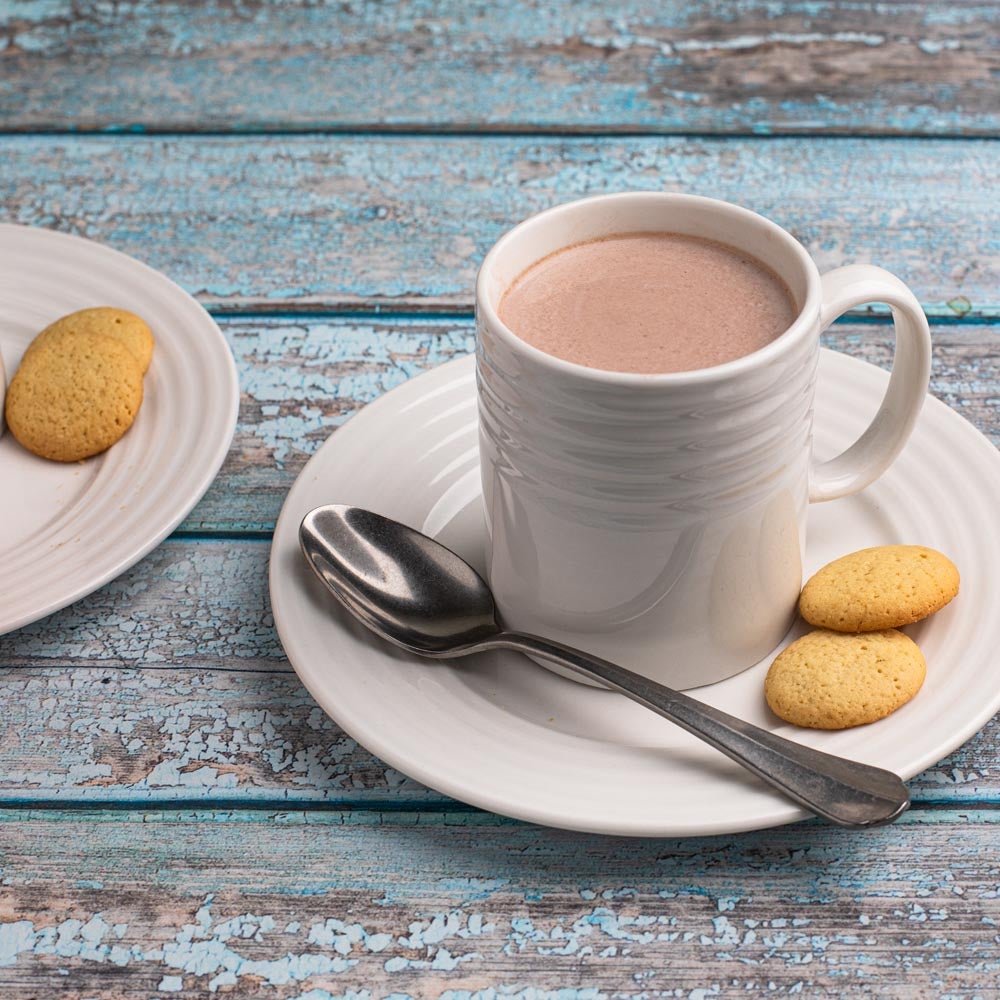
(370, 736)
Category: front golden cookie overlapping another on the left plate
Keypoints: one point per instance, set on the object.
(74, 398)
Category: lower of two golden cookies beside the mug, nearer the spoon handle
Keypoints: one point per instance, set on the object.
(829, 680)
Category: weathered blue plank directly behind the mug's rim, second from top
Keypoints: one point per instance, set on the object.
(320, 222)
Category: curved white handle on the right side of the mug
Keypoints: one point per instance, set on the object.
(865, 460)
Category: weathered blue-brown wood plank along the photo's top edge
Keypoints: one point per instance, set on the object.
(914, 67)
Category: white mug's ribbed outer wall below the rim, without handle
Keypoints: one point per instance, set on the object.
(658, 525)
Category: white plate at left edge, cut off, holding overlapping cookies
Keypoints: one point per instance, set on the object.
(66, 529)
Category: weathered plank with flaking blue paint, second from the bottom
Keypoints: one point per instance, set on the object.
(117, 700)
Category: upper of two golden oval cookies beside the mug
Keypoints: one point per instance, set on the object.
(878, 588)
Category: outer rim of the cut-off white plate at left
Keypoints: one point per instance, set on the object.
(212, 463)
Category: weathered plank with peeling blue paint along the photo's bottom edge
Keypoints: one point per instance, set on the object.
(320, 906)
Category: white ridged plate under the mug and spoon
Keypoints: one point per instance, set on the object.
(504, 734)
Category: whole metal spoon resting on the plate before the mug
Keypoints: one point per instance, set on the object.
(417, 594)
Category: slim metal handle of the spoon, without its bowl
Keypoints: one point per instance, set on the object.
(843, 791)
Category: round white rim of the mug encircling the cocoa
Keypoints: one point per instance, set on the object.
(800, 326)
